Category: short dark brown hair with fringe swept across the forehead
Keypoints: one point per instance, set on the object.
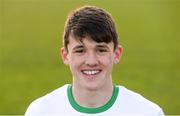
(92, 22)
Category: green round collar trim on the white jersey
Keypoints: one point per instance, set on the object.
(82, 109)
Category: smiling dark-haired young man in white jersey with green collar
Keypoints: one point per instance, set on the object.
(90, 50)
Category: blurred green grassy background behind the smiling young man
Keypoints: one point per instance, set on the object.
(31, 35)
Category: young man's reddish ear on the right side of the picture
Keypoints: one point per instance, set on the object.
(117, 54)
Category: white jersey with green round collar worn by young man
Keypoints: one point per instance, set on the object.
(123, 102)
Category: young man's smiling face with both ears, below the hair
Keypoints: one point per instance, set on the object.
(90, 62)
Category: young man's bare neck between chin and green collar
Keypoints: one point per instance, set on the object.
(92, 98)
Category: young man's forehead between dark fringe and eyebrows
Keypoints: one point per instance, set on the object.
(87, 42)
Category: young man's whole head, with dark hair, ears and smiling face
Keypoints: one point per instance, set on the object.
(90, 47)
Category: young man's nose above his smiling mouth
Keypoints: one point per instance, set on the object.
(91, 60)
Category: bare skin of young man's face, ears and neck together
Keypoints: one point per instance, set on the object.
(91, 65)
